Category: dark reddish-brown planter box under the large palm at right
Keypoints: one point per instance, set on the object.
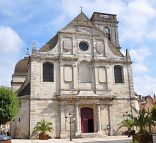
(143, 138)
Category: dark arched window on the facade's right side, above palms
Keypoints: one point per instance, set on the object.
(118, 74)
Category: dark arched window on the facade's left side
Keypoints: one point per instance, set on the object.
(48, 72)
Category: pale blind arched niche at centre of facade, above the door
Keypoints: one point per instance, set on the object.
(85, 72)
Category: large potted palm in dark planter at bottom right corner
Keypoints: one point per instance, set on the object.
(142, 121)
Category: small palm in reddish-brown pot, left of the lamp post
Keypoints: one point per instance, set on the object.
(42, 127)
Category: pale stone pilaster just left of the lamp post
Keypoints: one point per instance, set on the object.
(63, 123)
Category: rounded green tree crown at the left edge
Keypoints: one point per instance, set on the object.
(9, 105)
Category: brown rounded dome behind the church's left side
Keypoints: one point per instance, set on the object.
(21, 67)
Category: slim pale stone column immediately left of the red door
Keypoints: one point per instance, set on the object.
(78, 128)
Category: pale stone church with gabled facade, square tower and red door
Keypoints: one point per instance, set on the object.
(81, 73)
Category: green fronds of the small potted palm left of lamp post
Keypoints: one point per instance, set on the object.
(43, 127)
